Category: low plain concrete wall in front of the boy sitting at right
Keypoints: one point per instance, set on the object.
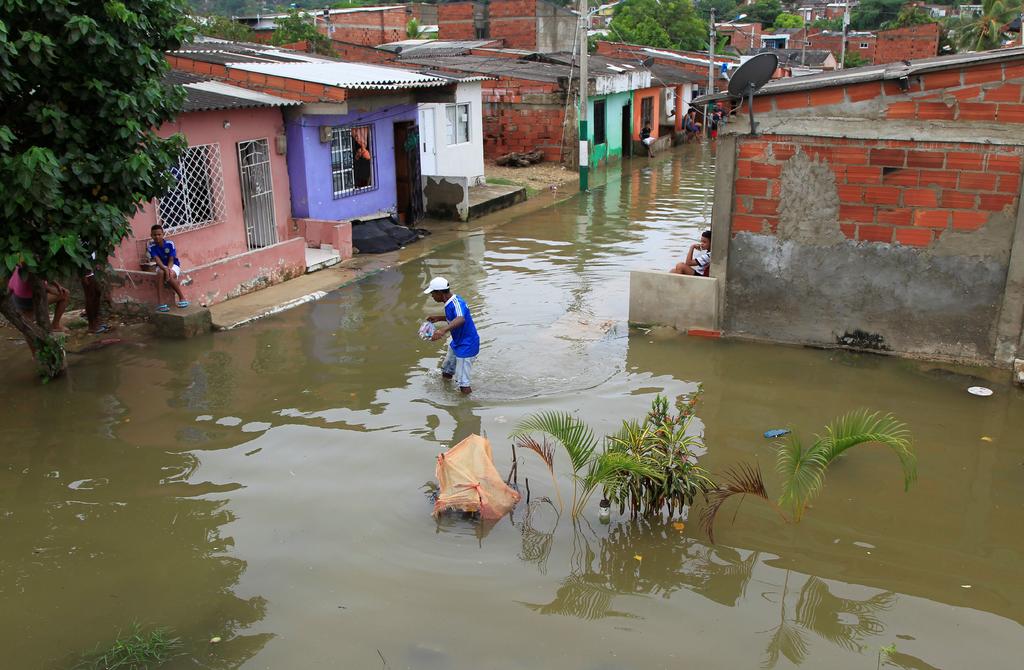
(677, 301)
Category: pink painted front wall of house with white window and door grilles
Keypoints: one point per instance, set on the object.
(205, 247)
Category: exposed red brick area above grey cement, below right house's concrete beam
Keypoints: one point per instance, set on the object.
(889, 191)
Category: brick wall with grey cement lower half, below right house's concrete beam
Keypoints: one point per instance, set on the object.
(887, 245)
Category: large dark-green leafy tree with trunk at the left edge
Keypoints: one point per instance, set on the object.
(82, 96)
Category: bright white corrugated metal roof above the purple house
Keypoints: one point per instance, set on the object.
(345, 75)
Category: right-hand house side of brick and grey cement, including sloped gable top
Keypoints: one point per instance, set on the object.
(880, 212)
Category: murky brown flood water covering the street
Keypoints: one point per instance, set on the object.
(264, 485)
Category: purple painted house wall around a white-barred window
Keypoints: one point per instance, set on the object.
(310, 164)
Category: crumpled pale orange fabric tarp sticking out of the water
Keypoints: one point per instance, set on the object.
(470, 482)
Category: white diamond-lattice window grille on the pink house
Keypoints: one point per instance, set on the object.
(197, 199)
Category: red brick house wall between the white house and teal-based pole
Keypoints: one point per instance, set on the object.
(510, 125)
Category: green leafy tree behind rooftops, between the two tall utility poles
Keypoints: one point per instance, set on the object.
(666, 24)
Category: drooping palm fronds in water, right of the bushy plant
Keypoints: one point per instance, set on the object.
(803, 469)
